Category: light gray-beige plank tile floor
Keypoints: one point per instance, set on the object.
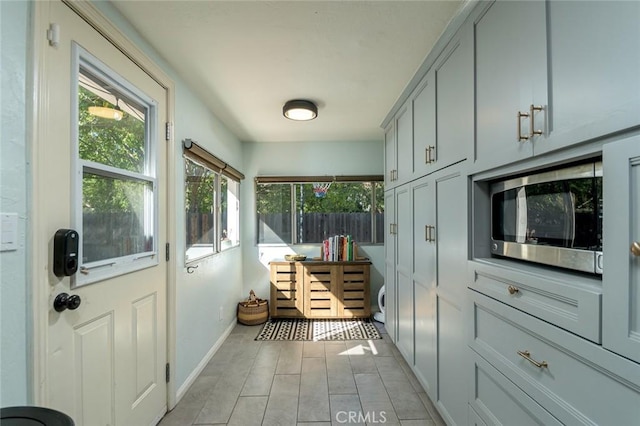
(354, 382)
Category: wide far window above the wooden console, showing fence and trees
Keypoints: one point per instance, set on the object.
(290, 211)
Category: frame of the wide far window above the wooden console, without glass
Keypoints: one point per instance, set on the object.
(296, 180)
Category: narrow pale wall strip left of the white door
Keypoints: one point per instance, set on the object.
(14, 347)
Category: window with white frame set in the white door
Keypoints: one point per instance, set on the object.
(116, 181)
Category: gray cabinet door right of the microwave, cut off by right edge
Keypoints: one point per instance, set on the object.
(621, 248)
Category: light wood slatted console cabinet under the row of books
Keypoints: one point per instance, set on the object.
(315, 289)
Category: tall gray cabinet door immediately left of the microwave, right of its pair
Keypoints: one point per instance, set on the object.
(452, 255)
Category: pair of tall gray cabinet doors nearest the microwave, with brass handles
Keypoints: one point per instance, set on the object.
(439, 282)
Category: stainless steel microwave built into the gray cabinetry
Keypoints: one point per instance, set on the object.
(553, 217)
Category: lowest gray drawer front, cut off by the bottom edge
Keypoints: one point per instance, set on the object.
(497, 401)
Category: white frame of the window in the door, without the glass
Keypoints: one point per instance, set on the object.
(113, 267)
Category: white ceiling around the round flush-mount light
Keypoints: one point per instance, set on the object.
(247, 58)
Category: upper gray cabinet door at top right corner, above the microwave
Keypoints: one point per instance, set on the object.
(594, 64)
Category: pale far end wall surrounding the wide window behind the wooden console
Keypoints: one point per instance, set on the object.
(300, 159)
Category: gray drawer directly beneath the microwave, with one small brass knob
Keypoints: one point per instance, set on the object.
(565, 303)
